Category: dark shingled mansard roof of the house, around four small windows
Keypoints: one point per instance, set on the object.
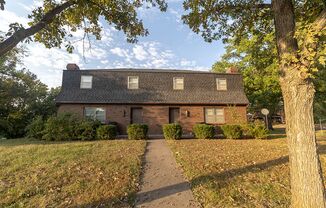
(155, 87)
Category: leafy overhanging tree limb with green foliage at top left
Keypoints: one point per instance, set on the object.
(53, 23)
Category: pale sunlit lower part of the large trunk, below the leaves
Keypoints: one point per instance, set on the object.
(306, 176)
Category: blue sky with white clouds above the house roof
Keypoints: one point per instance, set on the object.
(169, 45)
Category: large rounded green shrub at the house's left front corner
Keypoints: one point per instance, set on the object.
(60, 128)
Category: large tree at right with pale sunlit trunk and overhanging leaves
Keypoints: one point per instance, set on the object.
(297, 47)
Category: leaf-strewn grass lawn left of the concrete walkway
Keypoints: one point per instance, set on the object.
(69, 174)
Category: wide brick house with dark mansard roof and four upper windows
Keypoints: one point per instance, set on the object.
(153, 97)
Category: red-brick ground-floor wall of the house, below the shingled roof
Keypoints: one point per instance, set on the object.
(157, 115)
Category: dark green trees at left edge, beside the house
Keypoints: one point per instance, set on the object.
(22, 96)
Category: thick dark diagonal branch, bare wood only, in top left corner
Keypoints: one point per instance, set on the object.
(23, 33)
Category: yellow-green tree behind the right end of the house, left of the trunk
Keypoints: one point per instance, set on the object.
(255, 56)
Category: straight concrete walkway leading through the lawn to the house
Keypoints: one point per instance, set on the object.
(162, 183)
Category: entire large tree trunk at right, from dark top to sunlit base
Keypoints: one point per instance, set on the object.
(298, 93)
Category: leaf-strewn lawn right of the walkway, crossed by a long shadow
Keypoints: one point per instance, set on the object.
(238, 173)
